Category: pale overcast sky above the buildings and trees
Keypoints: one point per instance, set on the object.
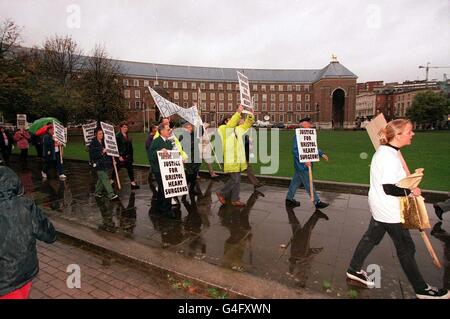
(376, 40)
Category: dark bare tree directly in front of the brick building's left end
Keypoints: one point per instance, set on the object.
(101, 91)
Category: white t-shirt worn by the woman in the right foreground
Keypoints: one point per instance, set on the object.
(386, 168)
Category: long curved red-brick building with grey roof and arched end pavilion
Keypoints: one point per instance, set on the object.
(326, 95)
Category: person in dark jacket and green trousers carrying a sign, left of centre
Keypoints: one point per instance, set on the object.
(102, 163)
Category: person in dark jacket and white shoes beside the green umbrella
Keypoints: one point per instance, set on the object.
(52, 155)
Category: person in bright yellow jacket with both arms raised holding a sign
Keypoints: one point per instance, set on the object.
(231, 134)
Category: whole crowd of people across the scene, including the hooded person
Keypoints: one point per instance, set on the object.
(20, 230)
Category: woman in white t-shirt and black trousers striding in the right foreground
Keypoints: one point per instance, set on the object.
(386, 170)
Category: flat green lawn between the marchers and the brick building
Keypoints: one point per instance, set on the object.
(429, 150)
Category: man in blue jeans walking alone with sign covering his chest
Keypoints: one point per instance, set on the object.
(301, 175)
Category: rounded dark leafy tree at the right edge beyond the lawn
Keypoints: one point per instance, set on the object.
(428, 108)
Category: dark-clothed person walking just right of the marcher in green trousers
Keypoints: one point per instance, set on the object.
(125, 145)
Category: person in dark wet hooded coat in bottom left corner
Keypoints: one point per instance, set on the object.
(22, 222)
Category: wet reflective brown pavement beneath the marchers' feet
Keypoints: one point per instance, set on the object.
(300, 247)
